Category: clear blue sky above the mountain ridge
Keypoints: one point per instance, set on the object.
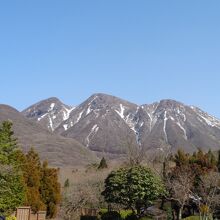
(139, 50)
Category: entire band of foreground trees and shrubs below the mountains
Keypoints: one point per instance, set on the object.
(186, 185)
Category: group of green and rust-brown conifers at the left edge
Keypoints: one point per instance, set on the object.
(24, 179)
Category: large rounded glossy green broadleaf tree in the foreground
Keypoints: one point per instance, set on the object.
(134, 188)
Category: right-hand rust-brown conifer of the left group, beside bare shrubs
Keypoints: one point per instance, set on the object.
(50, 189)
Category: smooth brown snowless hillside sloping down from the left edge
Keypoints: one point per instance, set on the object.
(59, 151)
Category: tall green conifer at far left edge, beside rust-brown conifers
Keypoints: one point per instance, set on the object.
(12, 189)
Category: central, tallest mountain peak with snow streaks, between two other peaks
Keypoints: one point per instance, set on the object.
(102, 123)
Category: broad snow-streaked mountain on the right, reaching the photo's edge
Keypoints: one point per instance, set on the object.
(178, 126)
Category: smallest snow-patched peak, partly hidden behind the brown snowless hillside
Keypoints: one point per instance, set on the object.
(50, 113)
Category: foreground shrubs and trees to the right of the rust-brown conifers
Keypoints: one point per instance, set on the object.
(186, 185)
